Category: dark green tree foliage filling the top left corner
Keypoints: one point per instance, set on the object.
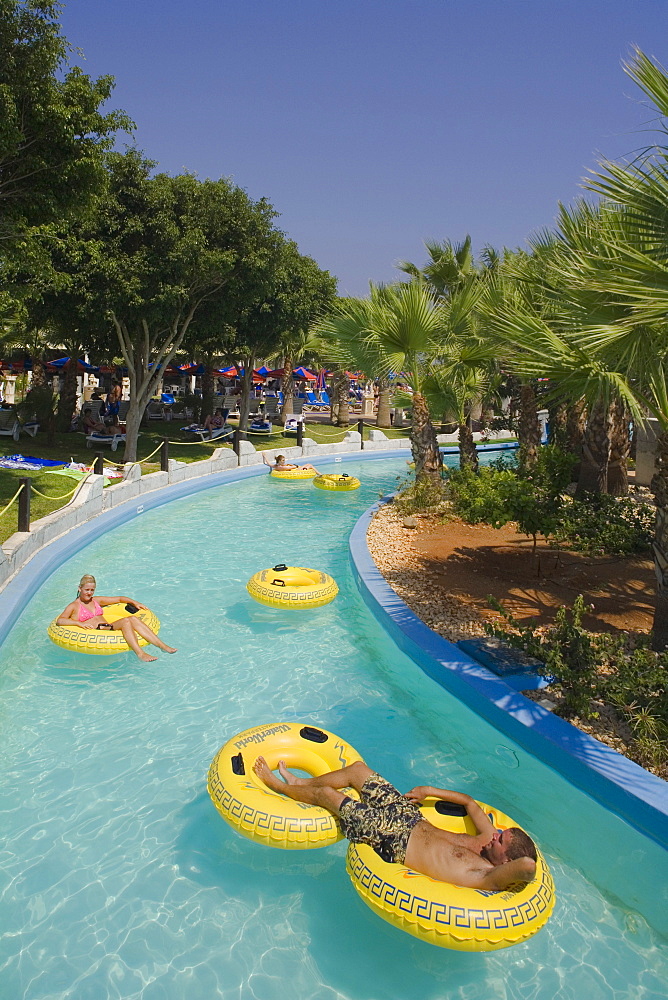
(52, 131)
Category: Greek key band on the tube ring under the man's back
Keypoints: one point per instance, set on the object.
(459, 917)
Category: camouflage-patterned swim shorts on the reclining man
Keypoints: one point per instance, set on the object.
(383, 819)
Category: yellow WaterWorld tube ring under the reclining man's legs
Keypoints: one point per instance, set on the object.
(263, 815)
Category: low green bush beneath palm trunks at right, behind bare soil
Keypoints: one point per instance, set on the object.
(604, 525)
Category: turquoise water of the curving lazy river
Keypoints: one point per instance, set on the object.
(119, 879)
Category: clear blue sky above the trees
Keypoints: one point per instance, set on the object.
(370, 125)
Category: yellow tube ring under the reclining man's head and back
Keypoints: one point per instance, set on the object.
(448, 915)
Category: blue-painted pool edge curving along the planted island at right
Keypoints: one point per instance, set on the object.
(636, 795)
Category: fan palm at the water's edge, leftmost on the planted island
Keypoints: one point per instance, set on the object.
(398, 328)
